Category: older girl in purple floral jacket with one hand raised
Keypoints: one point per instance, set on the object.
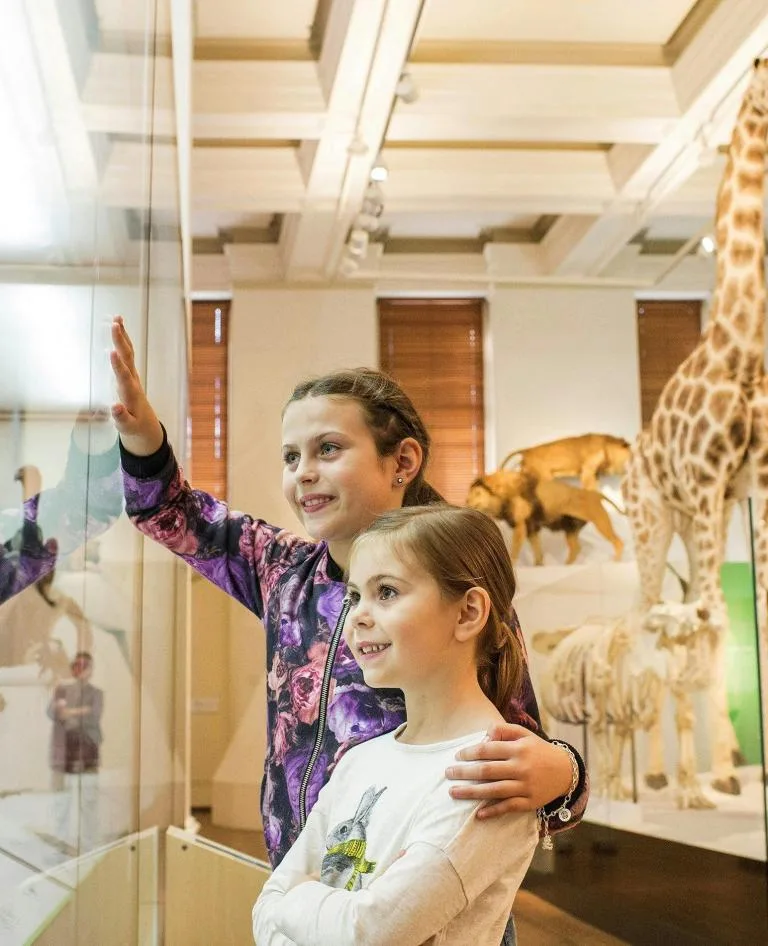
(353, 448)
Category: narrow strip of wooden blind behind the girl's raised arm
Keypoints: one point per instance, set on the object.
(208, 396)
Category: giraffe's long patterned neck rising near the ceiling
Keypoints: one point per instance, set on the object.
(739, 302)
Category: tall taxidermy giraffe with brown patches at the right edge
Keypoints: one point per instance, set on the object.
(686, 469)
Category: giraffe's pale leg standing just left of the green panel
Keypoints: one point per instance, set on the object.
(709, 544)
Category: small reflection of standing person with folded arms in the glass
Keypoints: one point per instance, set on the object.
(76, 709)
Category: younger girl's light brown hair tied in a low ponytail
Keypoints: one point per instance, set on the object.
(461, 549)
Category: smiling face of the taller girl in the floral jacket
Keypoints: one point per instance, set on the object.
(333, 476)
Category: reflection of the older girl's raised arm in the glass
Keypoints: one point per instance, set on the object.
(85, 503)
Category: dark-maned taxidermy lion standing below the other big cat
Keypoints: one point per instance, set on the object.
(529, 505)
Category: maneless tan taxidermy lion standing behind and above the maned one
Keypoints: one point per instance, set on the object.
(588, 457)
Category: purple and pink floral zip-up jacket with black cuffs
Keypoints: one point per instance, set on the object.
(318, 705)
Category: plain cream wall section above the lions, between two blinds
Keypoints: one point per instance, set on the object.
(563, 362)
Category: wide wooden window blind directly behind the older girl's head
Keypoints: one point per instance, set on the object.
(434, 349)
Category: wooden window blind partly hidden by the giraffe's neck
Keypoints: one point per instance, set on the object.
(667, 332)
